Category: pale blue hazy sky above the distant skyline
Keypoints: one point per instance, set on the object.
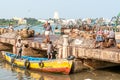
(70, 9)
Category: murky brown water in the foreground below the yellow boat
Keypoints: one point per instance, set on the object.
(7, 72)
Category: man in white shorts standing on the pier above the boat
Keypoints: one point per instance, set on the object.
(48, 29)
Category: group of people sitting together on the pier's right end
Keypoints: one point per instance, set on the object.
(106, 35)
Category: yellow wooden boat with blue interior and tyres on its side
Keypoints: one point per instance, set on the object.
(42, 64)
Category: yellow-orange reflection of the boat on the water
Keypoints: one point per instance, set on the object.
(35, 75)
